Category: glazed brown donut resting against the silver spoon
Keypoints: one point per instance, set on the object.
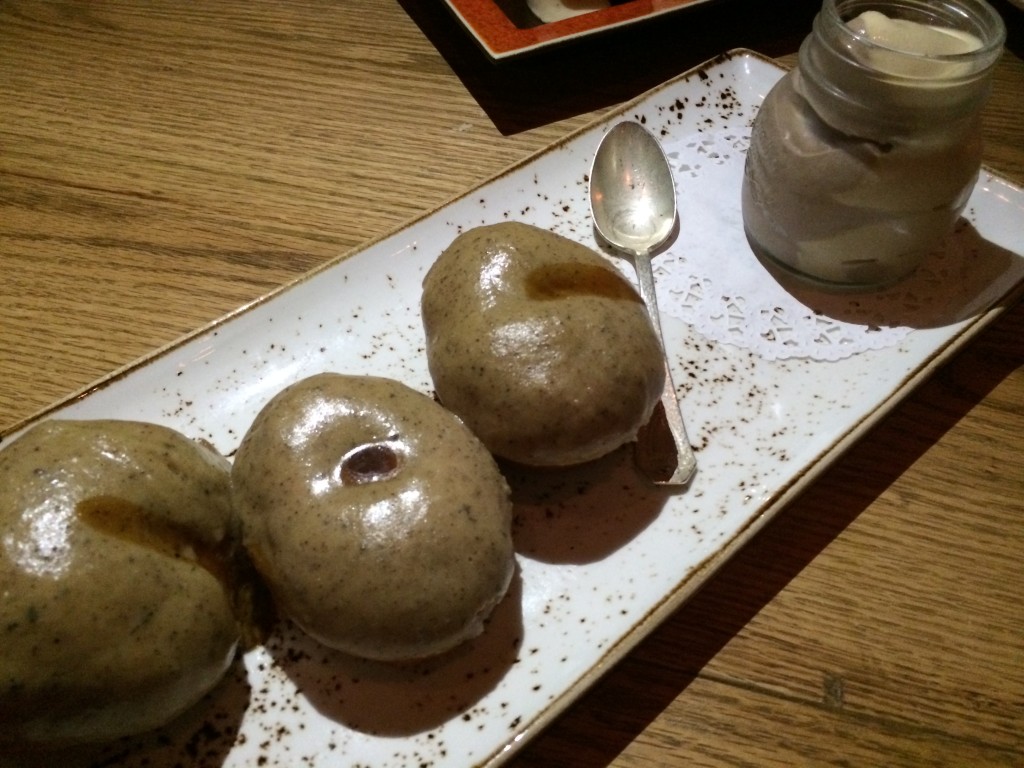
(539, 346)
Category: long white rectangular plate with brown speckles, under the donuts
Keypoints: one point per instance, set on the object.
(603, 556)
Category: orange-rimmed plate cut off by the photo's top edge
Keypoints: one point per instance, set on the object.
(506, 28)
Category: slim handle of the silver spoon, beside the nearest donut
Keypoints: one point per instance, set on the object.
(685, 462)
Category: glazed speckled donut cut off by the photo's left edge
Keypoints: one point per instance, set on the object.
(113, 608)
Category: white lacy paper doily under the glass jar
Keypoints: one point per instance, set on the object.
(710, 278)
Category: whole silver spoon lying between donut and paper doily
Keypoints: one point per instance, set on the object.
(633, 203)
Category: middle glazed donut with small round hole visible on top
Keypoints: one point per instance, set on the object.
(380, 524)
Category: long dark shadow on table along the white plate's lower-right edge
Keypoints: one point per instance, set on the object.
(676, 654)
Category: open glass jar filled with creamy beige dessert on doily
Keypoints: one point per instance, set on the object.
(864, 157)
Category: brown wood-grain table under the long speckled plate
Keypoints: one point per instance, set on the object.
(163, 163)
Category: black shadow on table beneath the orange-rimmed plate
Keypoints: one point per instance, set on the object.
(581, 76)
